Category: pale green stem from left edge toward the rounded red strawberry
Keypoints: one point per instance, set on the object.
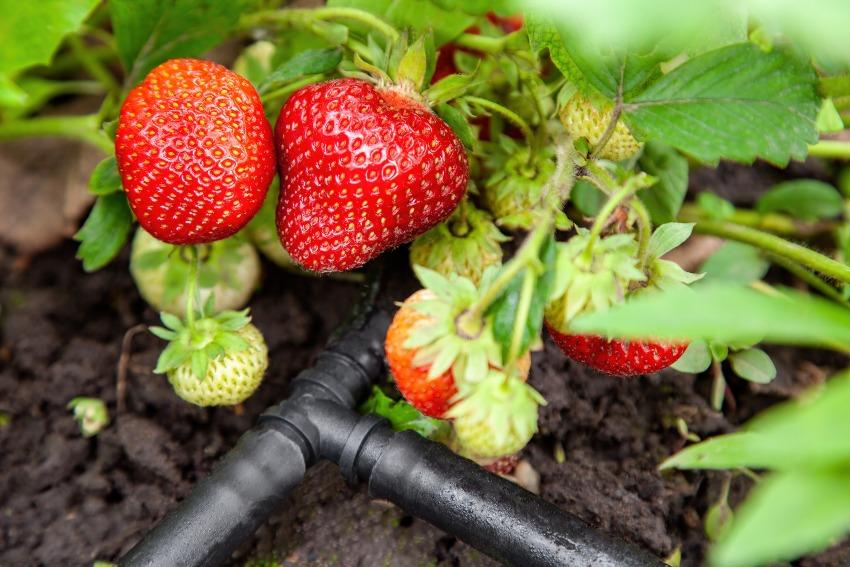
(83, 128)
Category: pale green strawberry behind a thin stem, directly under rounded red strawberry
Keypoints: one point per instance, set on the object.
(229, 271)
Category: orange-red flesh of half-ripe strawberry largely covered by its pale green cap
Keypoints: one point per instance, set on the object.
(430, 396)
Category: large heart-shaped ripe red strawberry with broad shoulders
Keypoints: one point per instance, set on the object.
(364, 169)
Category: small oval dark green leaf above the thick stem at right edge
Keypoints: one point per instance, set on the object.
(807, 199)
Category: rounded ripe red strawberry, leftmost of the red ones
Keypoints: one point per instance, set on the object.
(195, 152)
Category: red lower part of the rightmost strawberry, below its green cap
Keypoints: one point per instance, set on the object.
(617, 357)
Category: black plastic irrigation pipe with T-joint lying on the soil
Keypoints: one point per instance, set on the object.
(423, 477)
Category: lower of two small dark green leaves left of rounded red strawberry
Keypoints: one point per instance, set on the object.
(104, 232)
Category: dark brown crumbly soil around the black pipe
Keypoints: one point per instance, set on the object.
(66, 500)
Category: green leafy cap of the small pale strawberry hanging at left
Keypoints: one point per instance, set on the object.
(199, 341)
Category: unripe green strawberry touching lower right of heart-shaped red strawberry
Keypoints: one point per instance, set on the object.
(466, 244)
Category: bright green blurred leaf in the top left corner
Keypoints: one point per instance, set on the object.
(30, 32)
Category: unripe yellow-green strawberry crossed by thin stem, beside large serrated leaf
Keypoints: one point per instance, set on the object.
(584, 120)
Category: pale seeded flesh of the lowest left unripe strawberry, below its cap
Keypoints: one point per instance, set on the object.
(230, 377)
